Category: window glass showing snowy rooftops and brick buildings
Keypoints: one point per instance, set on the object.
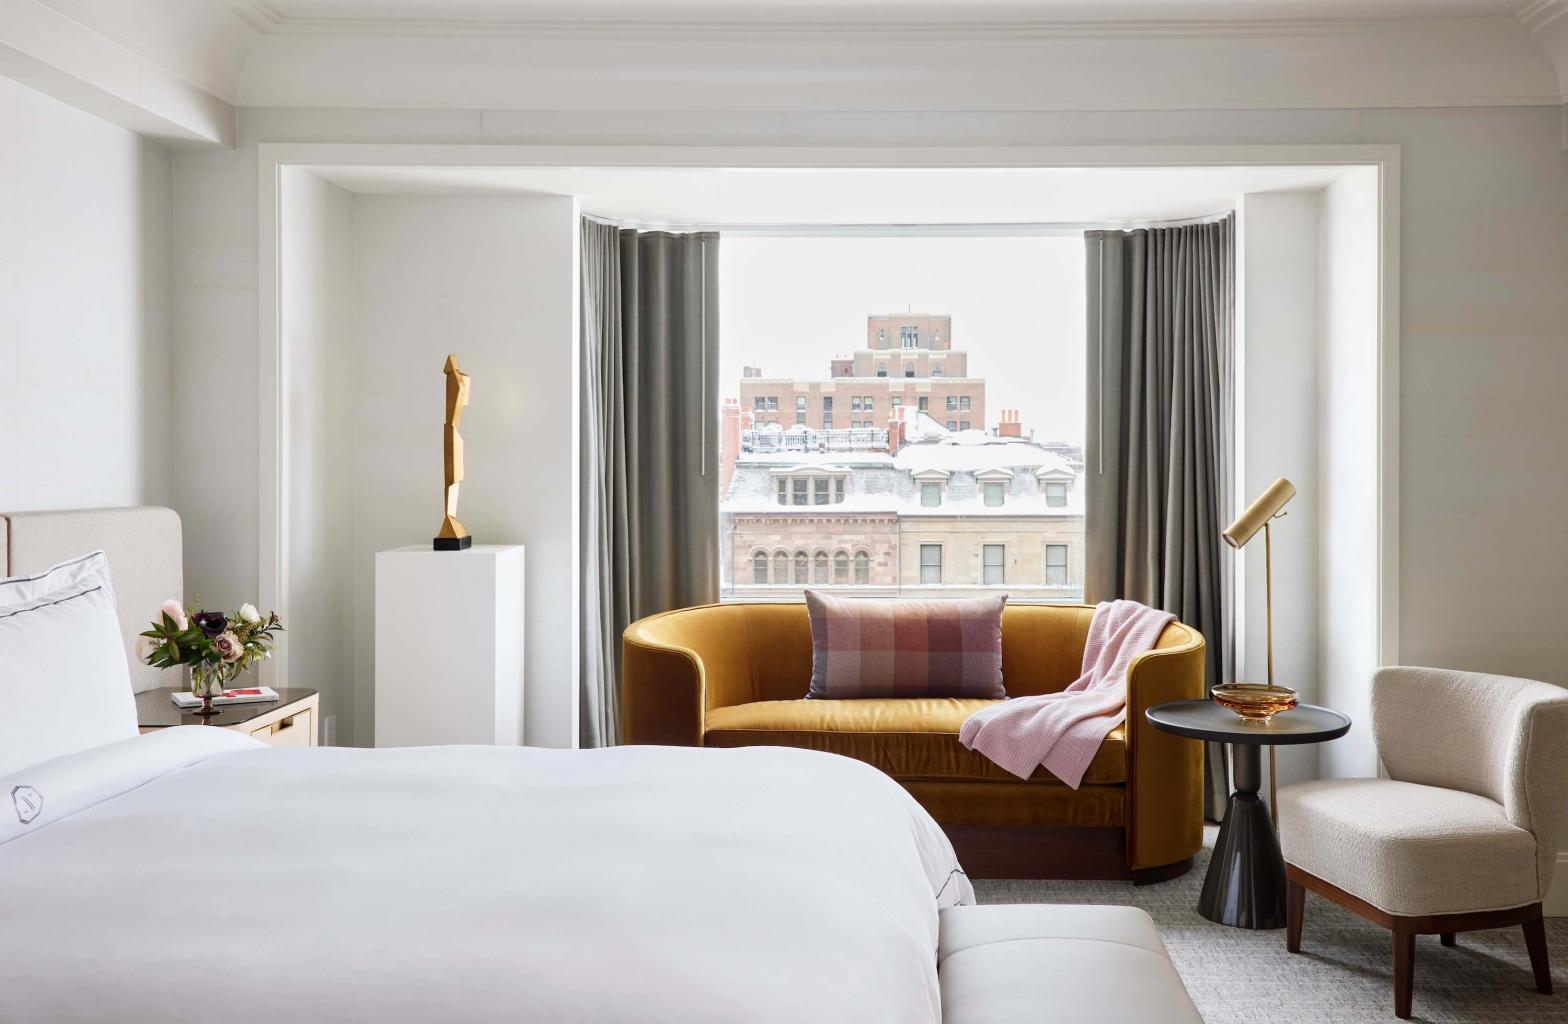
(822, 371)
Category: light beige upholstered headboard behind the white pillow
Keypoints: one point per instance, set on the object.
(145, 562)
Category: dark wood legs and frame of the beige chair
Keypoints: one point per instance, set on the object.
(1407, 929)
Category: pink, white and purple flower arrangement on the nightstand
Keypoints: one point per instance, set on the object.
(216, 647)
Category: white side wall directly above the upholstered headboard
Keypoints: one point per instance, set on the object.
(85, 340)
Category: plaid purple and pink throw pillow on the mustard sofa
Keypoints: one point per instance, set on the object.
(865, 647)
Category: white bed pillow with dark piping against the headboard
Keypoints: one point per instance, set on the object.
(65, 684)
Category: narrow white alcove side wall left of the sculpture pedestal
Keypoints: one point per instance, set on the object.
(318, 308)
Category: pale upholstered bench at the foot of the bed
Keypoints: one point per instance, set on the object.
(1017, 964)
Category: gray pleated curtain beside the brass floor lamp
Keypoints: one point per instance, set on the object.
(1161, 357)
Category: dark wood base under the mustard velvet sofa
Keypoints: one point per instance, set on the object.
(1062, 852)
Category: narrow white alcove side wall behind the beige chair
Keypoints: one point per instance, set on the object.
(1348, 451)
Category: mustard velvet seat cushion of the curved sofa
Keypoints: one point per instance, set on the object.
(912, 739)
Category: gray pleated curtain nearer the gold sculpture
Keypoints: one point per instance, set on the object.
(650, 460)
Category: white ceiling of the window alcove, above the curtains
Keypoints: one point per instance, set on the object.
(755, 197)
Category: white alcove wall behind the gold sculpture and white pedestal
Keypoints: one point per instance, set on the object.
(493, 280)
